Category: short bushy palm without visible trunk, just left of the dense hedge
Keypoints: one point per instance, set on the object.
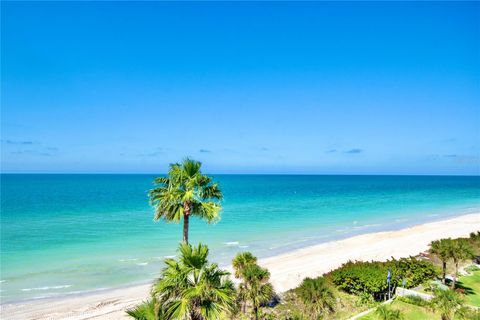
(317, 296)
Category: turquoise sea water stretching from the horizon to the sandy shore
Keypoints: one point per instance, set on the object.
(66, 234)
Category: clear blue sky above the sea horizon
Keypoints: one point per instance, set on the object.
(336, 88)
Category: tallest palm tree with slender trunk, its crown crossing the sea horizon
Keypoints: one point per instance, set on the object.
(185, 192)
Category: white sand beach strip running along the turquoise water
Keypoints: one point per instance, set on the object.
(287, 270)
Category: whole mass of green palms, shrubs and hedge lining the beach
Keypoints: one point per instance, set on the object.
(192, 288)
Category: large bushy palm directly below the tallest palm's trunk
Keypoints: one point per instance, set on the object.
(194, 289)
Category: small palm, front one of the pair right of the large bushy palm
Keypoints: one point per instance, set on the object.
(255, 287)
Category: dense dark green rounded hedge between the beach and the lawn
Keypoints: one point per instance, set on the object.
(371, 277)
